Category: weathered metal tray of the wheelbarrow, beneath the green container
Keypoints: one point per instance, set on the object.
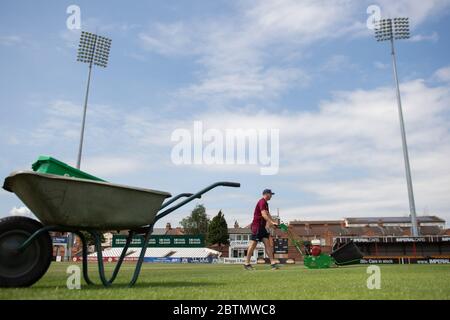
(81, 203)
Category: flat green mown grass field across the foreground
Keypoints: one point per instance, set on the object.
(164, 281)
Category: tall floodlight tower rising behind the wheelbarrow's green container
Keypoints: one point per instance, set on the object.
(93, 49)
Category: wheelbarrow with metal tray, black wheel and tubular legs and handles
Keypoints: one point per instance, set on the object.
(67, 204)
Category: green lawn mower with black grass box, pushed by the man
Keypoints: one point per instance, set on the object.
(314, 258)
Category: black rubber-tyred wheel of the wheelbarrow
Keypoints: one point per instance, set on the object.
(22, 268)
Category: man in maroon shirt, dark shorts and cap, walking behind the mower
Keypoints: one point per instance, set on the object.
(261, 219)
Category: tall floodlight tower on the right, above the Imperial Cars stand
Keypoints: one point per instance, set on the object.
(390, 30)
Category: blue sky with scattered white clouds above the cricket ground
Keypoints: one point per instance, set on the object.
(311, 70)
